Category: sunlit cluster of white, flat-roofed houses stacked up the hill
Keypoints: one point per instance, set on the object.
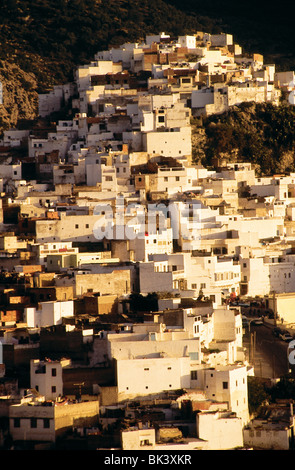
(108, 203)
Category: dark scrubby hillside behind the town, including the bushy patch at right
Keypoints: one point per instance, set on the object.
(42, 42)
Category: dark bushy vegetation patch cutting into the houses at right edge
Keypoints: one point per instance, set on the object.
(262, 133)
